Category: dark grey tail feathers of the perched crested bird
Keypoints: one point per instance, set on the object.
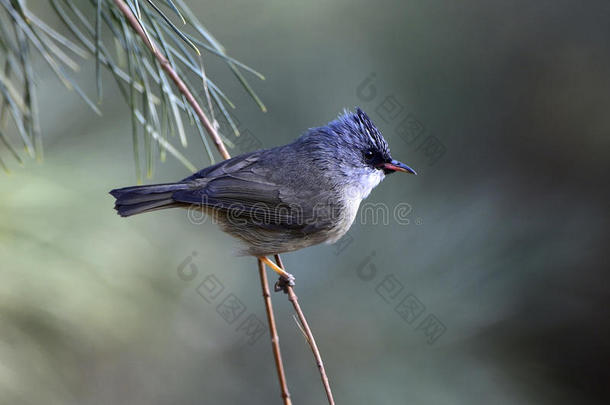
(138, 199)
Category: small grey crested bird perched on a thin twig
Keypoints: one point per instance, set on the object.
(284, 198)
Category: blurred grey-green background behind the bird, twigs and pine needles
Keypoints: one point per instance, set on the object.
(493, 287)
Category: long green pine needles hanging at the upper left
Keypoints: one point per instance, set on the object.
(155, 105)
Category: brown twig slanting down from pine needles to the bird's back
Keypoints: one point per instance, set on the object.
(133, 21)
